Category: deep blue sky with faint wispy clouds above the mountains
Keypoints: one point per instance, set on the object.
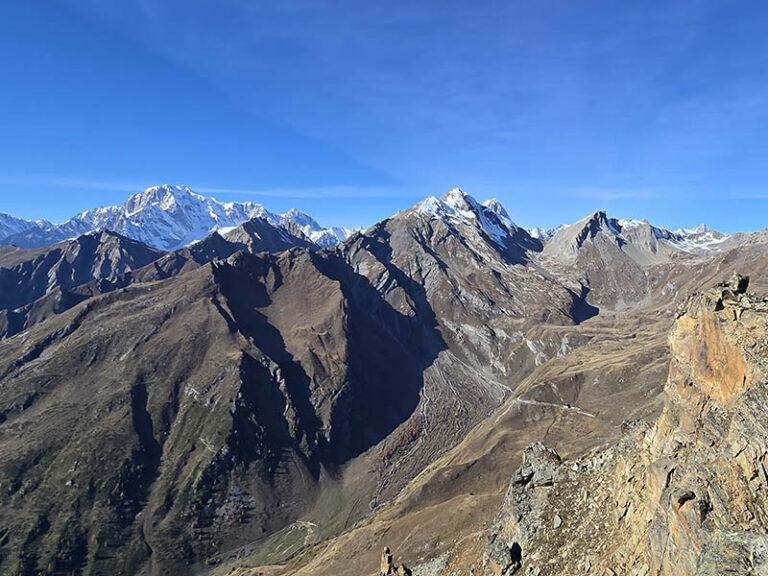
(352, 110)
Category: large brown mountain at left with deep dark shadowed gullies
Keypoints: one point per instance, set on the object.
(229, 375)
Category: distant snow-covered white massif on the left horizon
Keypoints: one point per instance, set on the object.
(165, 217)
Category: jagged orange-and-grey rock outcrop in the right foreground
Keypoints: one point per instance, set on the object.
(687, 496)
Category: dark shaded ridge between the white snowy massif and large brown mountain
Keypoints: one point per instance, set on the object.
(39, 283)
